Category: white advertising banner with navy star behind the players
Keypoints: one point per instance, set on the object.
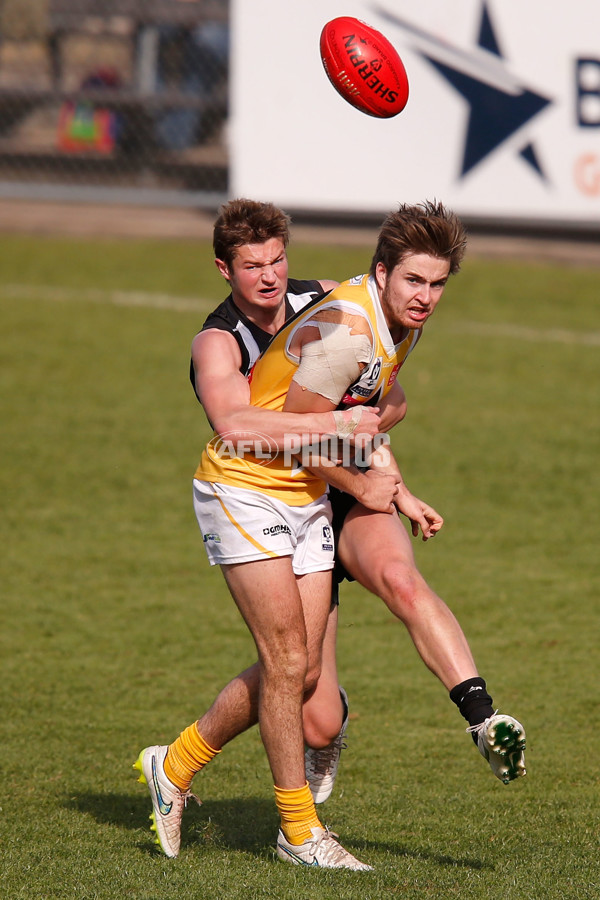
(502, 121)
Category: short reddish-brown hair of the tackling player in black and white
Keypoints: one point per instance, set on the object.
(245, 221)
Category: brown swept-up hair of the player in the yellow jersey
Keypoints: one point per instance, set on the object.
(423, 228)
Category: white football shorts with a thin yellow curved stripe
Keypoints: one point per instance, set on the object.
(239, 526)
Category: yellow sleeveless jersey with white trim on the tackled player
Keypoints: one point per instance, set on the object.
(354, 303)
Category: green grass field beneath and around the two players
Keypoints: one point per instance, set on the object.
(115, 634)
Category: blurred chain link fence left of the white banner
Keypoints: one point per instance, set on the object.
(114, 94)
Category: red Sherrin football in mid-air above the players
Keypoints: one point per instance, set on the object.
(363, 67)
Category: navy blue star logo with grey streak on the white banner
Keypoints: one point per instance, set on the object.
(499, 103)
